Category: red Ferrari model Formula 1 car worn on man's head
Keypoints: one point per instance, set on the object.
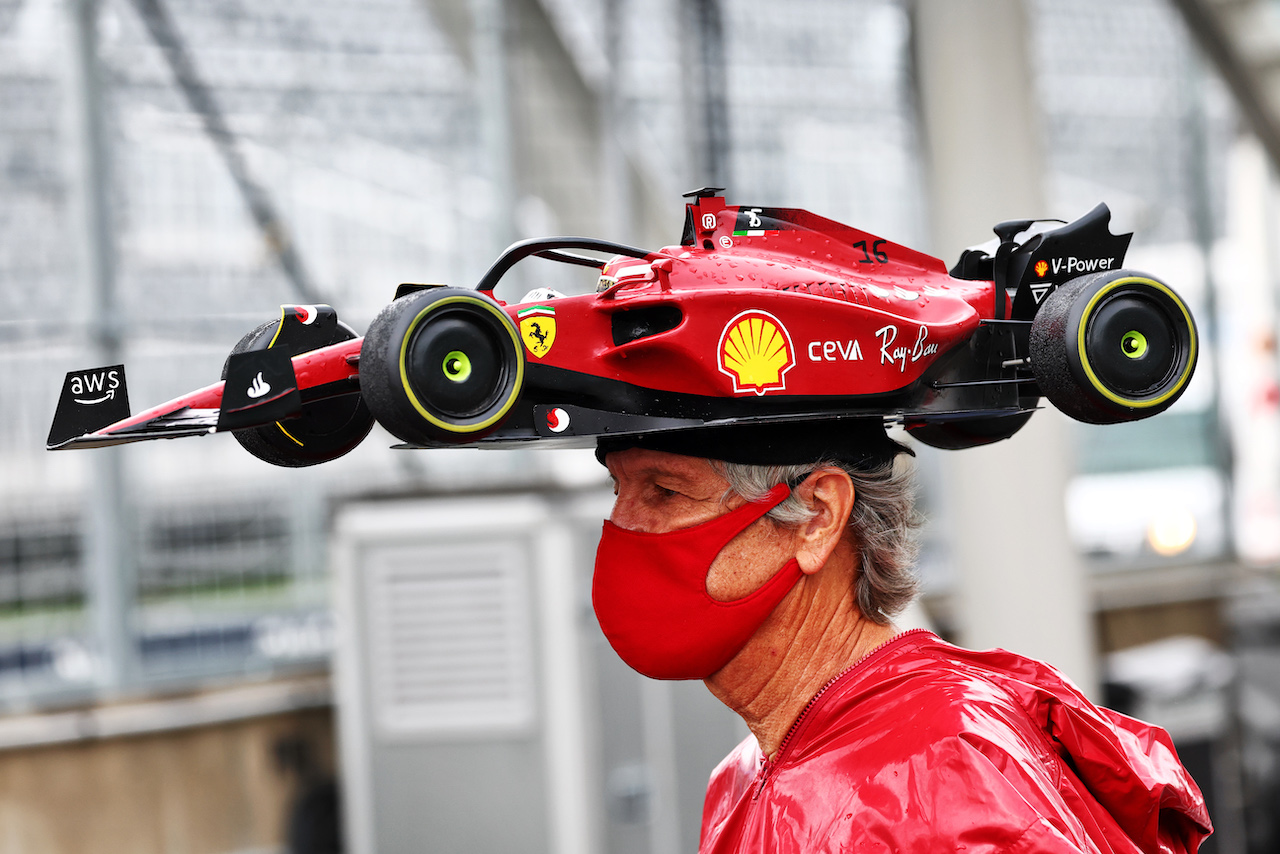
(757, 316)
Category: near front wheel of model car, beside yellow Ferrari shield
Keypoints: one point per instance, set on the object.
(442, 366)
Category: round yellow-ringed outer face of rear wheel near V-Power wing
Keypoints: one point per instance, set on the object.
(1137, 344)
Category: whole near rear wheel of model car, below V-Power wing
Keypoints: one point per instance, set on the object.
(1116, 346)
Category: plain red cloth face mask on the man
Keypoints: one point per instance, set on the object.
(651, 597)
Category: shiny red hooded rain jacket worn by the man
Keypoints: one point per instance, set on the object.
(924, 747)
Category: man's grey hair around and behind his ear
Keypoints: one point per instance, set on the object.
(884, 524)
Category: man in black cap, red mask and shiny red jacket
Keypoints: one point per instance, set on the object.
(770, 563)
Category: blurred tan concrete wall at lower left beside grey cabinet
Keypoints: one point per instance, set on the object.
(209, 789)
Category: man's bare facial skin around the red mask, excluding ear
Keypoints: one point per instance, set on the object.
(660, 492)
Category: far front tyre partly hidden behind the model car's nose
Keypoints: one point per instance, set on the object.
(326, 431)
